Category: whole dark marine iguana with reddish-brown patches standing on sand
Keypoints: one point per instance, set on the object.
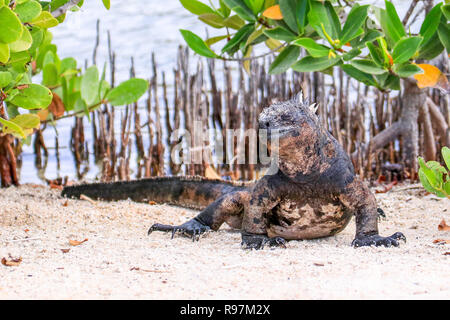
(313, 194)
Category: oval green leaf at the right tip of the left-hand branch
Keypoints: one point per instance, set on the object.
(127, 92)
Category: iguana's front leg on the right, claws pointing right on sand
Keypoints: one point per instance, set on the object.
(357, 197)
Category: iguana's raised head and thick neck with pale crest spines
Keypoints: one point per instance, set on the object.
(306, 151)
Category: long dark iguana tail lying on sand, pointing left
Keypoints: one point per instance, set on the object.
(189, 191)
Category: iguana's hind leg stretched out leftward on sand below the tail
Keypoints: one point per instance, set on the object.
(227, 208)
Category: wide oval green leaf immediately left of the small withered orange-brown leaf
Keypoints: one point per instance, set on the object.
(34, 96)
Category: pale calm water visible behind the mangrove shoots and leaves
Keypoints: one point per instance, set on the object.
(137, 28)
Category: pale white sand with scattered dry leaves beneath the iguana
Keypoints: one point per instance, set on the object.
(119, 260)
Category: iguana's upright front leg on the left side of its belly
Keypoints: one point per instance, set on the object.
(263, 198)
